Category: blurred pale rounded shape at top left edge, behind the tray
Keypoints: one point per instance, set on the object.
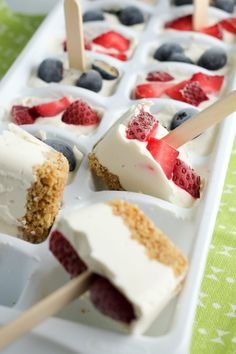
(31, 6)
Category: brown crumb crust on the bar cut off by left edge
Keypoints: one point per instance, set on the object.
(44, 198)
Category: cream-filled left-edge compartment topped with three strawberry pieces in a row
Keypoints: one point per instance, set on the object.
(67, 113)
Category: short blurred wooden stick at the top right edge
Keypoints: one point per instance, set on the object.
(200, 14)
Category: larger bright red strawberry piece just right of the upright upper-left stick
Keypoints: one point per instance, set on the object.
(113, 40)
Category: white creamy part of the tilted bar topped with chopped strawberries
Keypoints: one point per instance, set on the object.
(136, 168)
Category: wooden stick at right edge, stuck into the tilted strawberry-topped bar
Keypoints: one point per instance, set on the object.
(202, 121)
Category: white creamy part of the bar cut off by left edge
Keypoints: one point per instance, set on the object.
(20, 153)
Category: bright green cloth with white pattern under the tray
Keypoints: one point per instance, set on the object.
(215, 323)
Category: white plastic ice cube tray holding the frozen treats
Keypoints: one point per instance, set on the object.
(29, 272)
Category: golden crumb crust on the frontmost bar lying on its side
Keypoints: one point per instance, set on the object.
(158, 246)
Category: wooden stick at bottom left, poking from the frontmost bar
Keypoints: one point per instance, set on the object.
(44, 309)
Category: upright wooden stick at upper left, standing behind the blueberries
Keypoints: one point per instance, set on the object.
(74, 34)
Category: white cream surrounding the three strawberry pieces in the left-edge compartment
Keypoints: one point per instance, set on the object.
(55, 120)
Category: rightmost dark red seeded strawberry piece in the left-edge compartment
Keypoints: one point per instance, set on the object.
(80, 113)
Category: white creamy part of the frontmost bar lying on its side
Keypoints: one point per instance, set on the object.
(146, 283)
